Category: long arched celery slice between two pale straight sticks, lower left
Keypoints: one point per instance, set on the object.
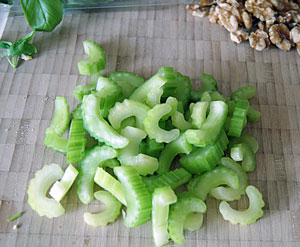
(94, 157)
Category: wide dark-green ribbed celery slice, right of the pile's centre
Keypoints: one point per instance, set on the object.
(206, 158)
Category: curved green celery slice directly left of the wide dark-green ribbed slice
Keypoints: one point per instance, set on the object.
(180, 145)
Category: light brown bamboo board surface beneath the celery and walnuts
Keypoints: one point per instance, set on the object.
(142, 40)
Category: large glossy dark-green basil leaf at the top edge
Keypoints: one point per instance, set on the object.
(42, 15)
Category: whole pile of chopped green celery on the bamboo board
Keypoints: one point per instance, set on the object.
(126, 134)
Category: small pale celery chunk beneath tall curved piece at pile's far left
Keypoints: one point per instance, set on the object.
(55, 143)
